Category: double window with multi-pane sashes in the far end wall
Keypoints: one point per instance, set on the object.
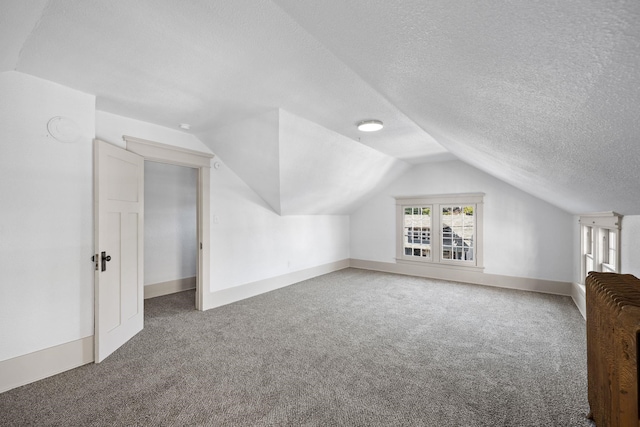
(441, 230)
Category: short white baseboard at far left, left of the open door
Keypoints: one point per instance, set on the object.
(38, 365)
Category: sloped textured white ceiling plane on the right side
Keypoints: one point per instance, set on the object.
(544, 95)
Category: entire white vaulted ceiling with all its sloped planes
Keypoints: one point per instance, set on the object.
(544, 95)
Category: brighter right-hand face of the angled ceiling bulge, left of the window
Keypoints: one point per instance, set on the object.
(324, 172)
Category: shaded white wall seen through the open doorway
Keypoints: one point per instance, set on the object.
(170, 241)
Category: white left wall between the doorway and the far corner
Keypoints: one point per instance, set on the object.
(250, 242)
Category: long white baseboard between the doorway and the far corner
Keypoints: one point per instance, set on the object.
(237, 293)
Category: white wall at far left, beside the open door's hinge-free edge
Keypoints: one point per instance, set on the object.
(46, 219)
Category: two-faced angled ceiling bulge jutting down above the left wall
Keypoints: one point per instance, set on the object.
(301, 168)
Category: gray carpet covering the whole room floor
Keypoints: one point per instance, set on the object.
(351, 348)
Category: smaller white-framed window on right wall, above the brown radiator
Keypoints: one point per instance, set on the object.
(600, 243)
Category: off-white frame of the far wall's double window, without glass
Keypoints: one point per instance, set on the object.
(436, 202)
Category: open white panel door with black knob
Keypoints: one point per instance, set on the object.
(119, 215)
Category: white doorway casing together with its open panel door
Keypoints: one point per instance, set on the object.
(119, 235)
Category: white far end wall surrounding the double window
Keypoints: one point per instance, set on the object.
(523, 236)
